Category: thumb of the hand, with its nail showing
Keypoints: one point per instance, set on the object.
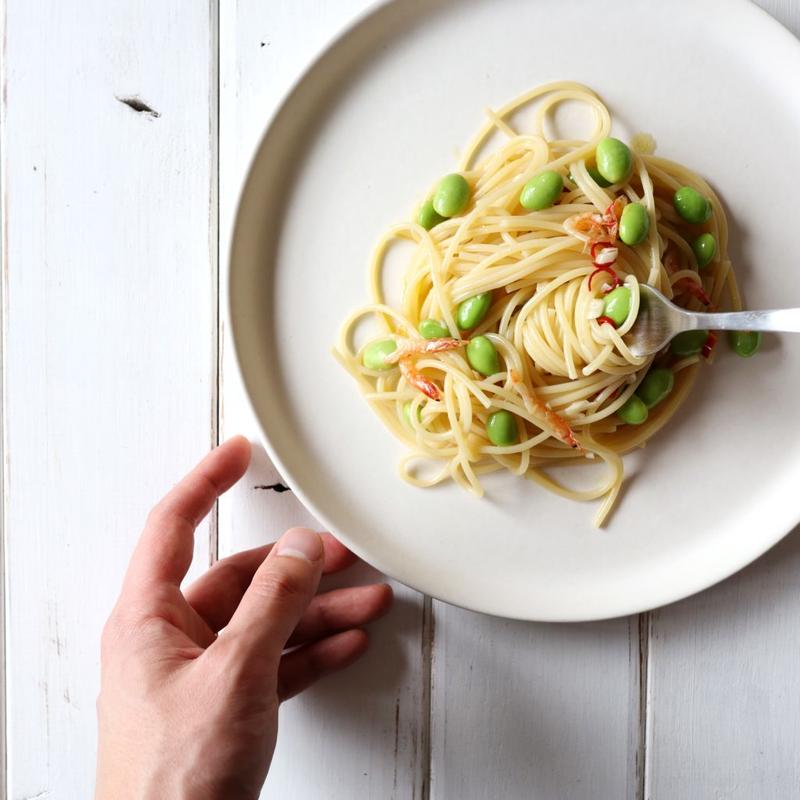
(279, 593)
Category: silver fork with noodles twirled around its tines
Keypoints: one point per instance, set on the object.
(659, 321)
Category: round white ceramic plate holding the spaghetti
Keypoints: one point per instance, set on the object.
(354, 146)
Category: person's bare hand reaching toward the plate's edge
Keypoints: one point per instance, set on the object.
(191, 681)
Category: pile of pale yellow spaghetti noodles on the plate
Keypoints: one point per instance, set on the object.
(565, 371)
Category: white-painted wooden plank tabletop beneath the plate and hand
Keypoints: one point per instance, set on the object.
(126, 131)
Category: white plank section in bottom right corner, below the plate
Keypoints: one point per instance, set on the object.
(724, 688)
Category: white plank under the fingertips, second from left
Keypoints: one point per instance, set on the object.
(361, 733)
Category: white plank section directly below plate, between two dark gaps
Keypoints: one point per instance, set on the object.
(533, 710)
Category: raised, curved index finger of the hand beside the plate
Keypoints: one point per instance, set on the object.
(165, 548)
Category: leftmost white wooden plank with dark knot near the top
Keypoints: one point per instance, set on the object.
(110, 374)
